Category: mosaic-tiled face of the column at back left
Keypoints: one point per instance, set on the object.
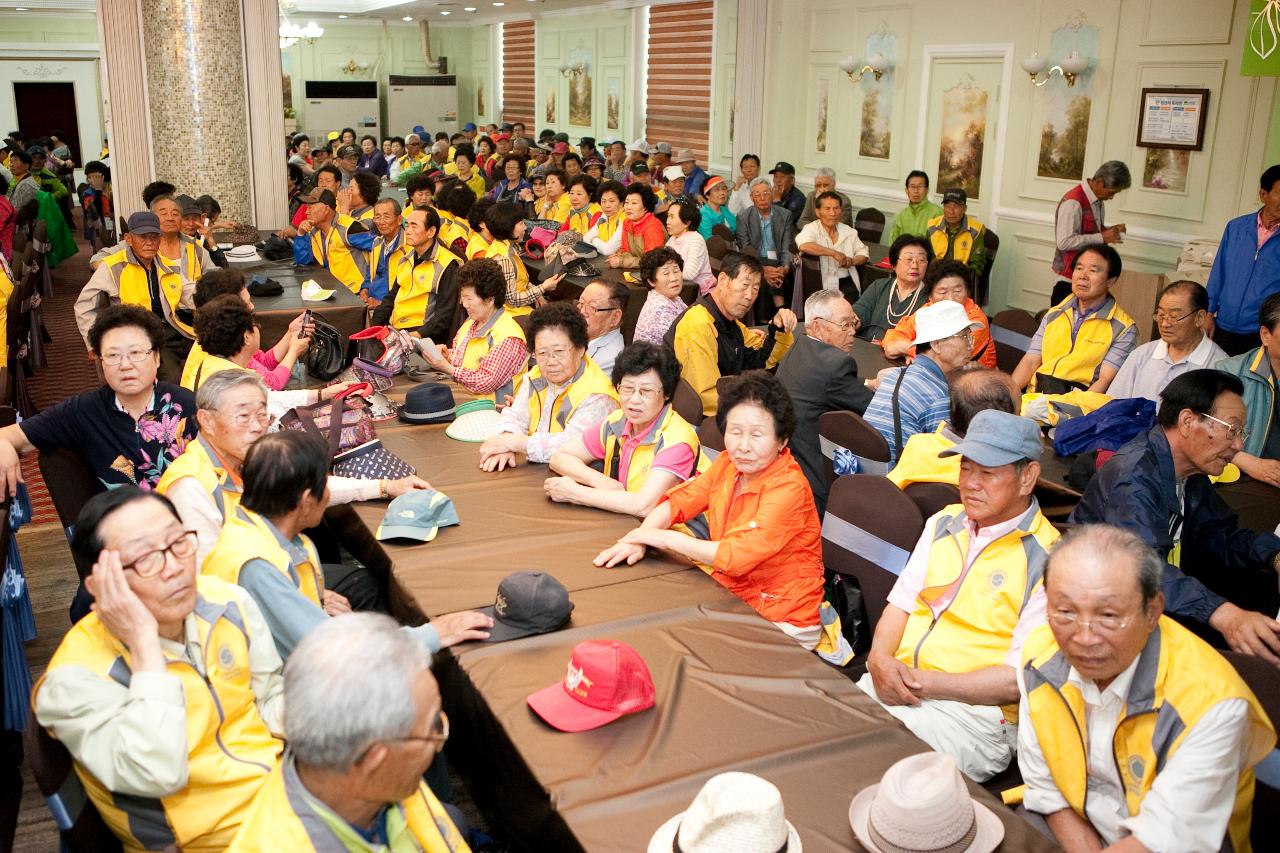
(196, 99)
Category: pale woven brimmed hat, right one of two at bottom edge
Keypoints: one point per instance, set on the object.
(922, 805)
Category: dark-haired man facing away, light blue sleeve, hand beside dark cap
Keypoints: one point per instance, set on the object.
(264, 549)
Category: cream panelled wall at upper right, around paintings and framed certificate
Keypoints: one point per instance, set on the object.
(1142, 43)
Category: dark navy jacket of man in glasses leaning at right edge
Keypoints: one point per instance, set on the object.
(1137, 491)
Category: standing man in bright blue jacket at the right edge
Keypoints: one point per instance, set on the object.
(1247, 270)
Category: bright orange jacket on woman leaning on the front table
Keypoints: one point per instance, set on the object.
(770, 537)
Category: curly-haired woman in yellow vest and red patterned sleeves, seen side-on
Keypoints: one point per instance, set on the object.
(490, 349)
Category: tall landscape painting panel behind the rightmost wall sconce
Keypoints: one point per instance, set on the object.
(1066, 117)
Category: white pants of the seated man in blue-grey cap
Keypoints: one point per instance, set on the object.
(976, 736)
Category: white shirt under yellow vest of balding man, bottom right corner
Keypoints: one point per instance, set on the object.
(1191, 801)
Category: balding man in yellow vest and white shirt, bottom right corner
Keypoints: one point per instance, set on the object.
(1101, 681)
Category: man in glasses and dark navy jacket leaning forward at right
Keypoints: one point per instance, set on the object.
(1158, 487)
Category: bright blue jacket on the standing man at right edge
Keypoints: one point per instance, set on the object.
(1244, 276)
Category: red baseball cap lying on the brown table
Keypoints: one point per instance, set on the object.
(605, 681)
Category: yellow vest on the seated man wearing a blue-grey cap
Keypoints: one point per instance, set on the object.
(976, 630)
